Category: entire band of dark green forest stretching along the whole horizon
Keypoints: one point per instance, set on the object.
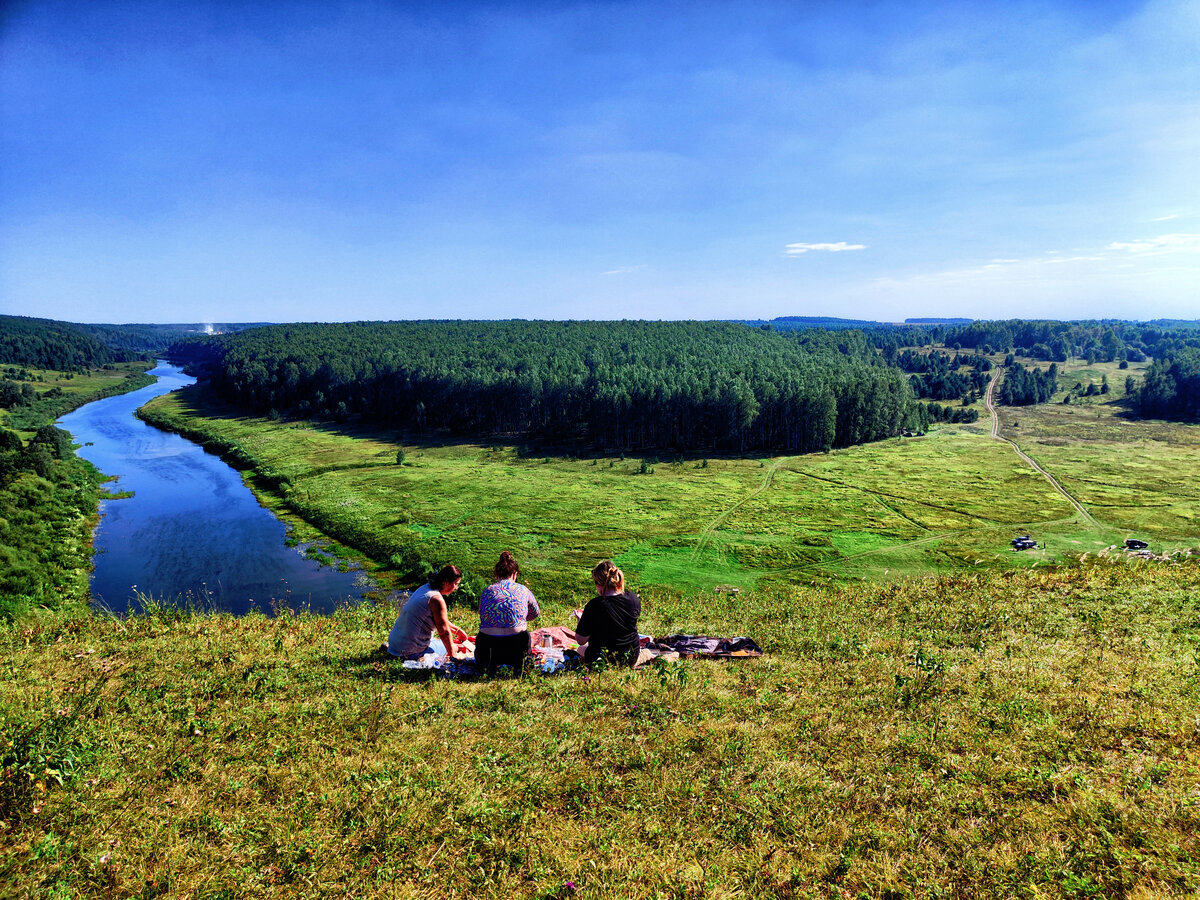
(793, 385)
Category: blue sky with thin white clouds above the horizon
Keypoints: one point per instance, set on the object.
(331, 161)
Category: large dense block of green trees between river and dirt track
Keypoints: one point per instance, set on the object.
(631, 387)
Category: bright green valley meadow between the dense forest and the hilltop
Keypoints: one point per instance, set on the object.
(950, 501)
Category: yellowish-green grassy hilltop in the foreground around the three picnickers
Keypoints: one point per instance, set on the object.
(1021, 735)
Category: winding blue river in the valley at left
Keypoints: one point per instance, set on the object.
(193, 533)
